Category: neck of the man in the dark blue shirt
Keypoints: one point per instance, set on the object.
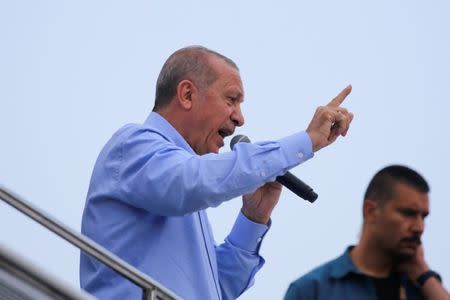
(370, 260)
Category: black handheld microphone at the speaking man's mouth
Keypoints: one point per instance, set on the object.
(289, 180)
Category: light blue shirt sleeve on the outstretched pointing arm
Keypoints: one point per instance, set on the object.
(152, 173)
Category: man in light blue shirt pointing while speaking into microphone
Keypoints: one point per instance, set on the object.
(152, 183)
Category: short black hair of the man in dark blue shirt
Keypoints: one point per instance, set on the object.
(381, 187)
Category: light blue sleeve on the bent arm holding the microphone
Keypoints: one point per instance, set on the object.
(238, 257)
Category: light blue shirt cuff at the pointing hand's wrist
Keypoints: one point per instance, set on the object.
(297, 148)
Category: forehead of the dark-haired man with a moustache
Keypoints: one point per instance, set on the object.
(408, 197)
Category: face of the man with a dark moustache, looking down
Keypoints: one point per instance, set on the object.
(399, 223)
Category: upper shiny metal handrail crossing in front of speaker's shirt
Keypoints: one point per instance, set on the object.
(151, 289)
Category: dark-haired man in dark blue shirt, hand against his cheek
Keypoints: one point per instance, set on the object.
(388, 262)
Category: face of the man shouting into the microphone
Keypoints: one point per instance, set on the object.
(218, 109)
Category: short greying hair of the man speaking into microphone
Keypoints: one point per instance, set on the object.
(190, 63)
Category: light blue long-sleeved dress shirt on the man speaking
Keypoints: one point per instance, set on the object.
(146, 203)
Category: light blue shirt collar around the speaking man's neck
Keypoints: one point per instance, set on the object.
(159, 124)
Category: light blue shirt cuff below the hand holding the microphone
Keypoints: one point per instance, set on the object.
(247, 235)
